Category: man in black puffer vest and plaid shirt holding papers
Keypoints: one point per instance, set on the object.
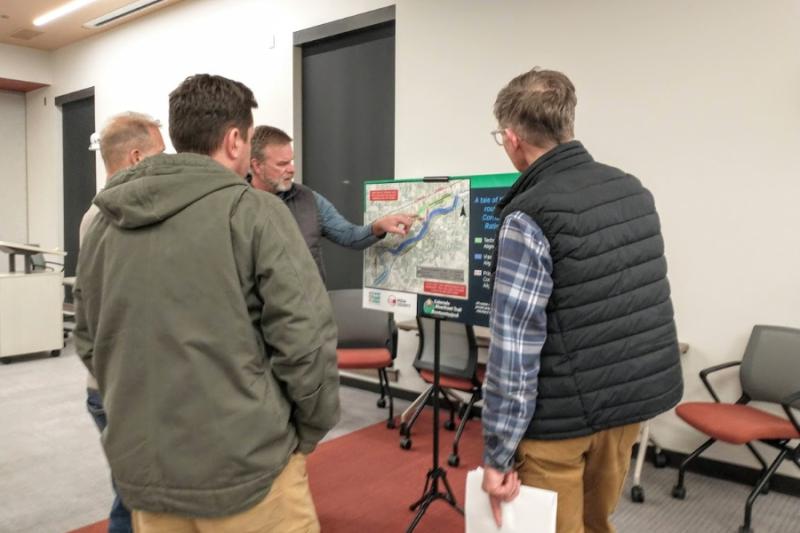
(583, 343)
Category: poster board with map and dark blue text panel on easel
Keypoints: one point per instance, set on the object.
(442, 267)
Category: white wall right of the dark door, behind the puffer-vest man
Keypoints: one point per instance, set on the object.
(698, 99)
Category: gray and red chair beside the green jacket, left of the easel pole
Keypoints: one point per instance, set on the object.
(367, 340)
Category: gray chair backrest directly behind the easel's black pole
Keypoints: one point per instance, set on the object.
(458, 350)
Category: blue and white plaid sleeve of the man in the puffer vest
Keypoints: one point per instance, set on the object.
(518, 328)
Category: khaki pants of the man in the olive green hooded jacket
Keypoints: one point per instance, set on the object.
(287, 508)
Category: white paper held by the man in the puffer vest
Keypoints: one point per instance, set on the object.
(533, 511)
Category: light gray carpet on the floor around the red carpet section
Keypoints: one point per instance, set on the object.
(53, 476)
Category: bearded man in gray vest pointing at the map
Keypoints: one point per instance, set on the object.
(272, 169)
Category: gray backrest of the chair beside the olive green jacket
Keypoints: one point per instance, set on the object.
(359, 327)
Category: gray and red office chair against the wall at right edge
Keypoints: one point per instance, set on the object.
(768, 372)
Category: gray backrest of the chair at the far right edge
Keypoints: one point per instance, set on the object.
(771, 363)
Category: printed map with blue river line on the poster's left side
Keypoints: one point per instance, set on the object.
(433, 258)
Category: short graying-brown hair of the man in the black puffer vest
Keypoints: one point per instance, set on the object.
(539, 105)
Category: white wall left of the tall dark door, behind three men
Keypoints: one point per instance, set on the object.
(135, 67)
